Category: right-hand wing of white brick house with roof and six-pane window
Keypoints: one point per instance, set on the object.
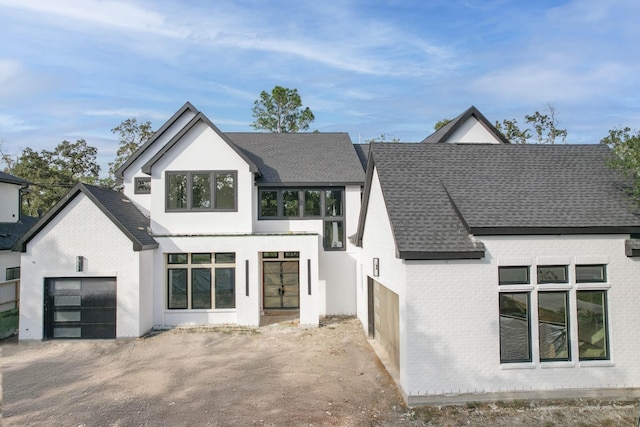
(498, 268)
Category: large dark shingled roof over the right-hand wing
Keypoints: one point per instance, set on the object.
(439, 195)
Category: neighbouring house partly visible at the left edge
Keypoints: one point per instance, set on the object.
(12, 226)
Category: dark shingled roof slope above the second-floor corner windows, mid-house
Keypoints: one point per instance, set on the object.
(301, 158)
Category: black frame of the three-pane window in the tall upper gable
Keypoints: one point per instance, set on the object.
(213, 175)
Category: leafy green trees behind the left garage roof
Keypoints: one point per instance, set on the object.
(53, 173)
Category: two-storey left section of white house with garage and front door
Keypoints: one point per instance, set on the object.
(211, 228)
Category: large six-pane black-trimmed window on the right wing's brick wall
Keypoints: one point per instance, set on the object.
(553, 306)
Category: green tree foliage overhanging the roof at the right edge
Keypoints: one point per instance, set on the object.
(625, 145)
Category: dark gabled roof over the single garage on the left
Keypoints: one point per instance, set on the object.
(115, 205)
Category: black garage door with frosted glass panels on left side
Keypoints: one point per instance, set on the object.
(80, 308)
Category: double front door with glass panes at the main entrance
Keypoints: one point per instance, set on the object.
(281, 284)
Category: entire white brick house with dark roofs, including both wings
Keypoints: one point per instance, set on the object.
(475, 266)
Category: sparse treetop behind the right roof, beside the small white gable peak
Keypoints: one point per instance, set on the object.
(541, 128)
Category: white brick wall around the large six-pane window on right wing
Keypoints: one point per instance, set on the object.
(453, 335)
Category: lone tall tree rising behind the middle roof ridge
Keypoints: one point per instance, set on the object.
(281, 111)
